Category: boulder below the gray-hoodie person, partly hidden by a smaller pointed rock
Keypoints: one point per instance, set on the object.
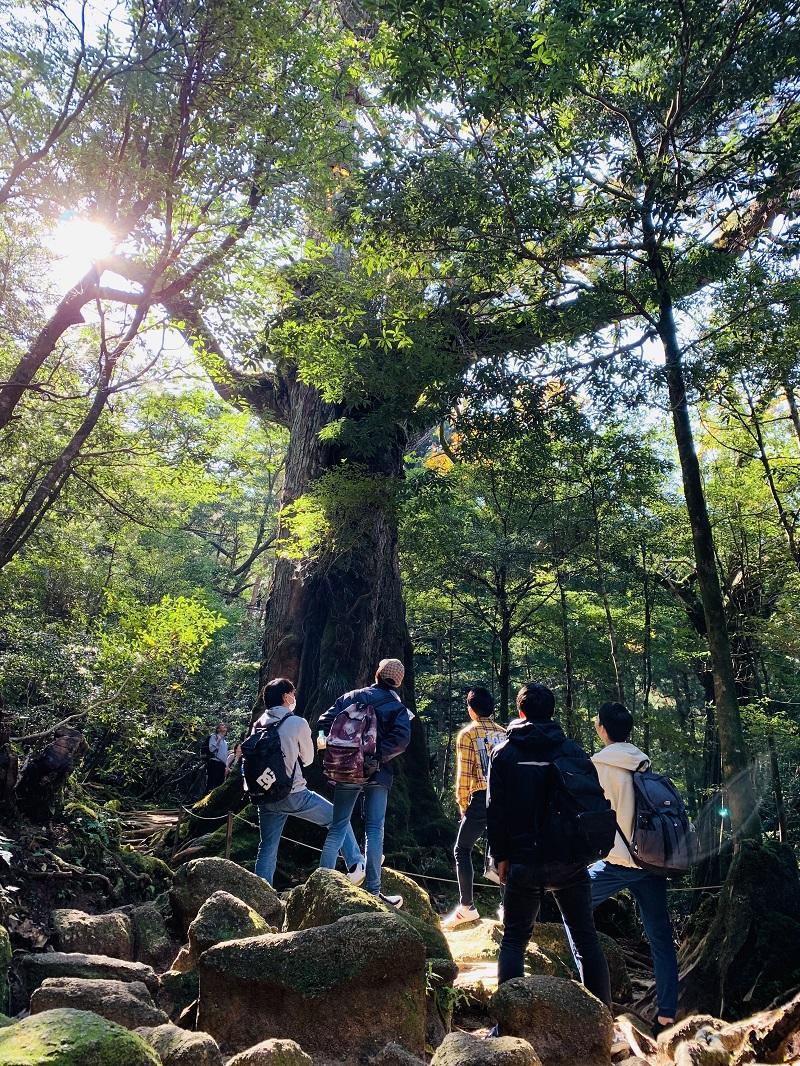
(200, 879)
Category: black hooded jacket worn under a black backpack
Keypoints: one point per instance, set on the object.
(517, 800)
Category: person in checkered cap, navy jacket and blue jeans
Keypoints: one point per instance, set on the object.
(394, 735)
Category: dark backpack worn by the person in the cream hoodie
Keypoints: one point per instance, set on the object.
(664, 841)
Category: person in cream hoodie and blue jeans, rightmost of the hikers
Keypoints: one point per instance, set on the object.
(616, 765)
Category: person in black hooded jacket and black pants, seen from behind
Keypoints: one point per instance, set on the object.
(518, 797)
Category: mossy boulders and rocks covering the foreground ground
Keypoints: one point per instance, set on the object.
(221, 971)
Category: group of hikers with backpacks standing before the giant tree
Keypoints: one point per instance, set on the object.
(537, 835)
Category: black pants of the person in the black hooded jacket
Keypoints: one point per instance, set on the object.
(524, 895)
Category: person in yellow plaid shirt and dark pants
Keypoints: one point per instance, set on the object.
(473, 750)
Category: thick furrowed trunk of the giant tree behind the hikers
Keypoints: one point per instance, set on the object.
(328, 624)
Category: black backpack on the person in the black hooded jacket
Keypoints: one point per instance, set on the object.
(580, 825)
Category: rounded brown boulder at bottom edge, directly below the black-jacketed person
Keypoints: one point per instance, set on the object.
(565, 1023)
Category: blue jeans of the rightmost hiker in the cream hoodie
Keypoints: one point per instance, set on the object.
(650, 893)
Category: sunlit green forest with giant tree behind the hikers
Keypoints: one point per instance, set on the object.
(461, 334)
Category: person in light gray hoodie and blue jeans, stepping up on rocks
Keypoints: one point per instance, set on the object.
(299, 751)
